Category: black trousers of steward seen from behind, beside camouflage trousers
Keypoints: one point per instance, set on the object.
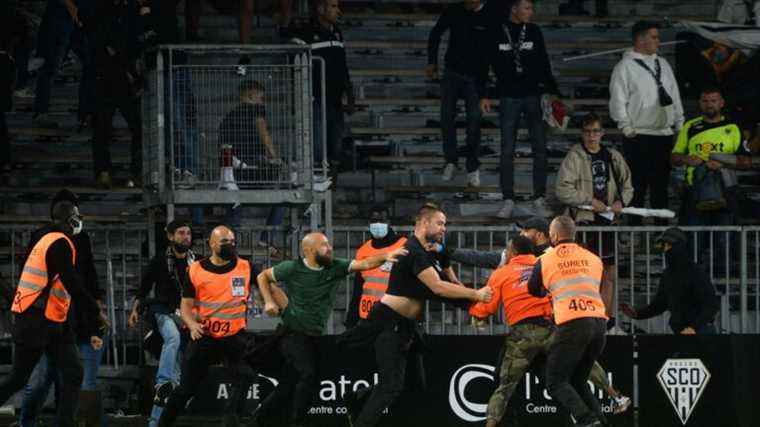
(577, 344)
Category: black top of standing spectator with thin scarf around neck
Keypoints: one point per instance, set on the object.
(536, 78)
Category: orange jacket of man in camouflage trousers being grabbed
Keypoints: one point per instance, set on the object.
(510, 287)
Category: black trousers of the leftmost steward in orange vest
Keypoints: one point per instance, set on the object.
(61, 350)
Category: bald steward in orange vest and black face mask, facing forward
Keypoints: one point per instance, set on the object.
(215, 296)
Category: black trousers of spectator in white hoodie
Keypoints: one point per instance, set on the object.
(648, 156)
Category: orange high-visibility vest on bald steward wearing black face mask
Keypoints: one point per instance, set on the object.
(220, 299)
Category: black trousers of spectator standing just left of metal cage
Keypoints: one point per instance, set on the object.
(101, 153)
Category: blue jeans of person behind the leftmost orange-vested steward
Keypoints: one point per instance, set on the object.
(46, 374)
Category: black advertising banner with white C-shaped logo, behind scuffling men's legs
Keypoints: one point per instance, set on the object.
(459, 372)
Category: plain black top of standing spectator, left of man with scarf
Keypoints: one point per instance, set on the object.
(468, 32)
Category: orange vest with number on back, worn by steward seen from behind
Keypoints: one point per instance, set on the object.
(572, 275)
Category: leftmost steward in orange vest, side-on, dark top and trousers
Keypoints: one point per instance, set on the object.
(45, 291)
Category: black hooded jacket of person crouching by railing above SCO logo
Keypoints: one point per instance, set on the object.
(685, 290)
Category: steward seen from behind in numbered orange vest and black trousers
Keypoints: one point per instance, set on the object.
(571, 276)
